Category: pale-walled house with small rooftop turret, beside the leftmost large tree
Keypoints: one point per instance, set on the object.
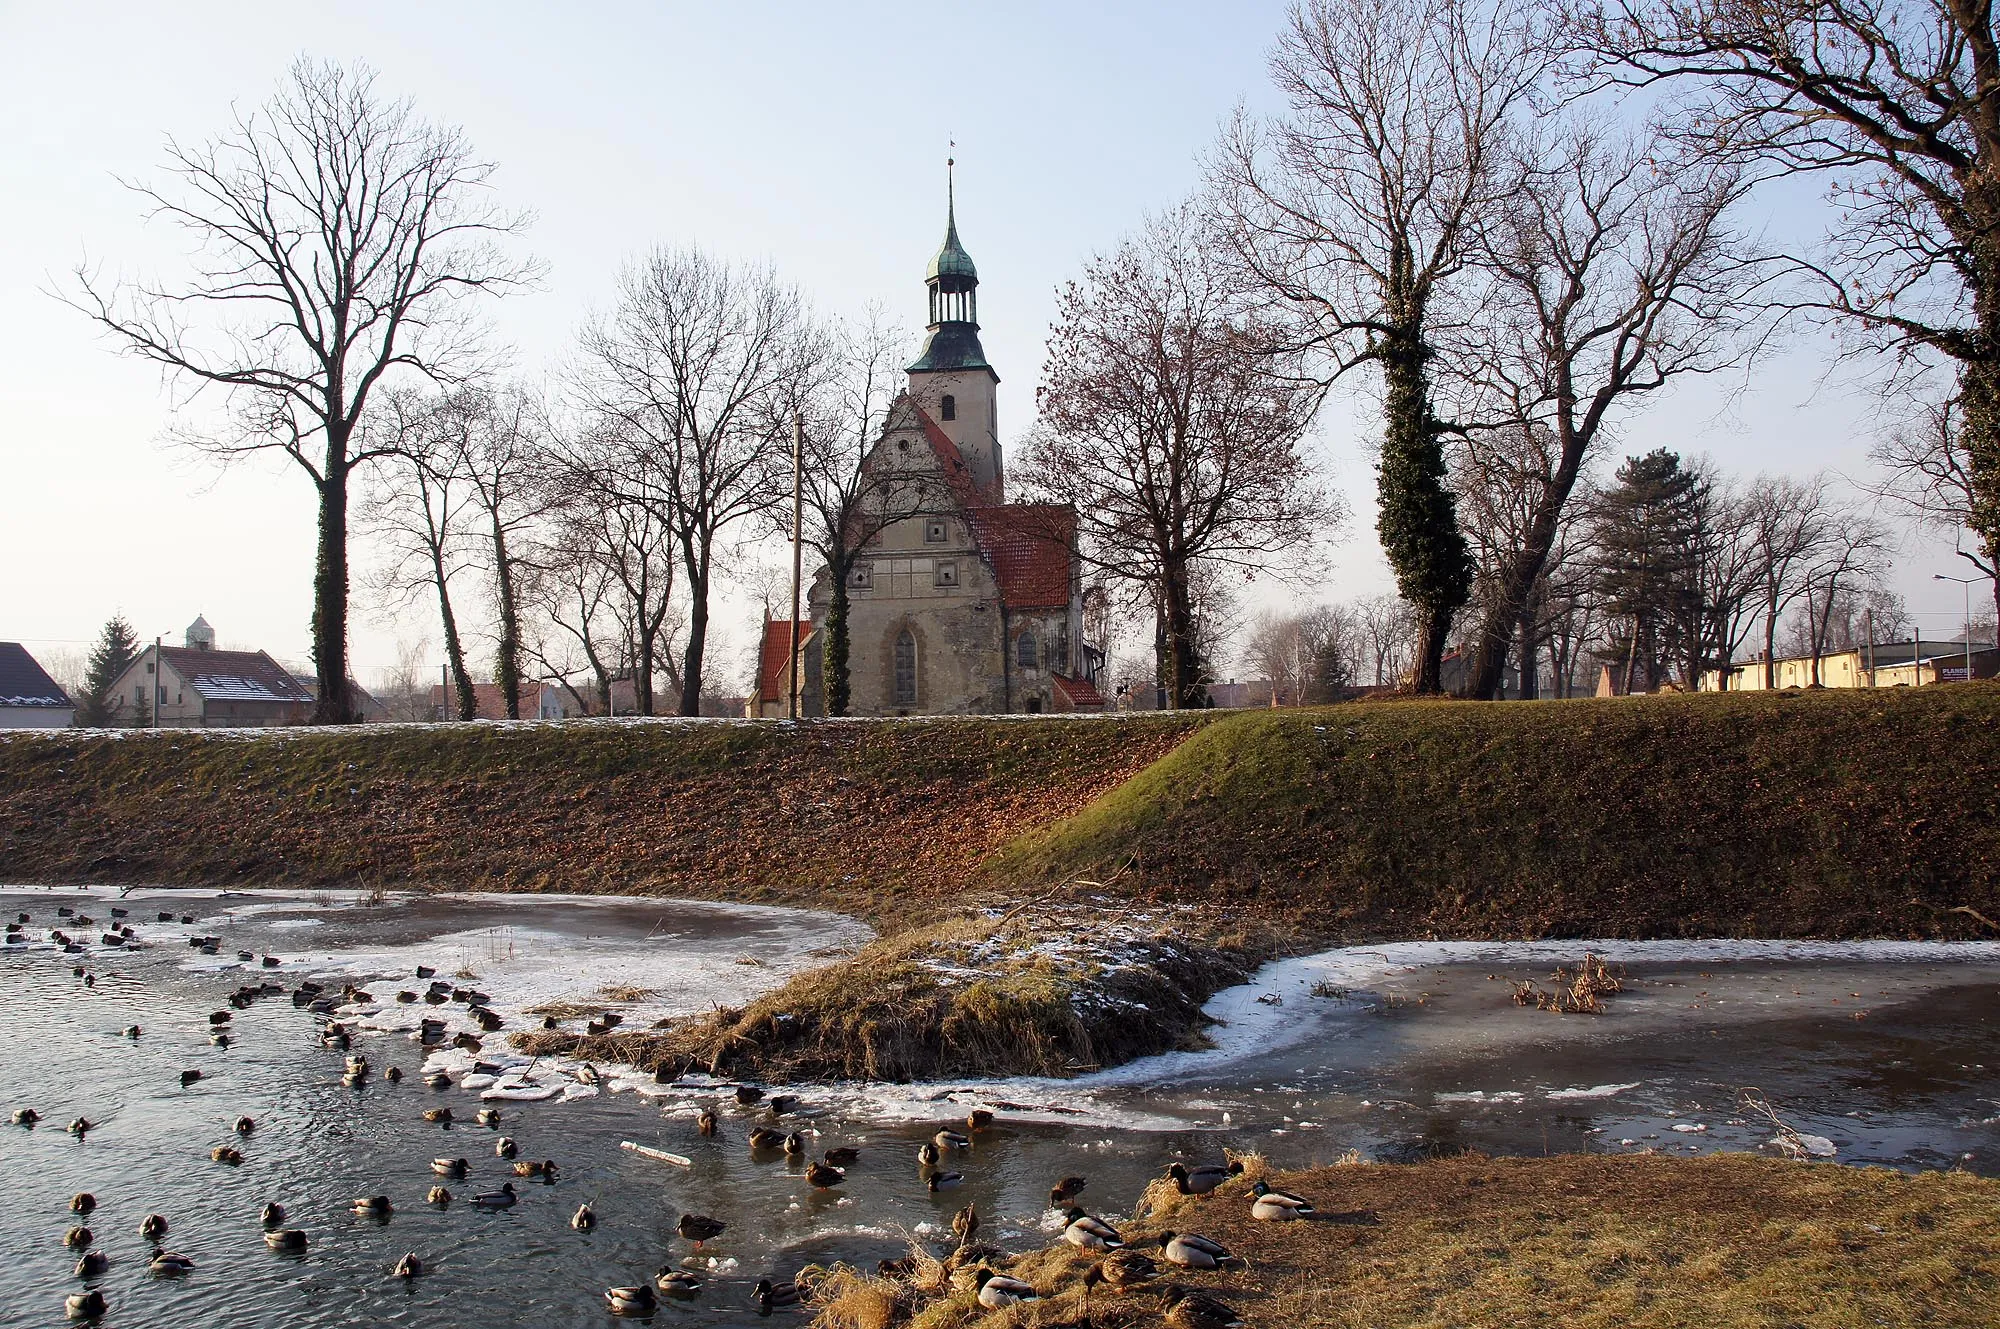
(197, 686)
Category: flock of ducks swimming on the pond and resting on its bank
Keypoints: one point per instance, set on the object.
(1119, 1268)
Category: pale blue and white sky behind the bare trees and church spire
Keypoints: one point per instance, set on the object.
(811, 137)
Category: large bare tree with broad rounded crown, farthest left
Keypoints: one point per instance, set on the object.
(339, 243)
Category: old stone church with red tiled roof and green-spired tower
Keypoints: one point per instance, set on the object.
(959, 601)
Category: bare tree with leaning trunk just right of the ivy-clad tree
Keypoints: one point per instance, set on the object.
(1613, 275)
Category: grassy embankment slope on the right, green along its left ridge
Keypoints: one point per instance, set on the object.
(1791, 814)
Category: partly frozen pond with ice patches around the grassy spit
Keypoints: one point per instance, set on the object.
(1399, 1052)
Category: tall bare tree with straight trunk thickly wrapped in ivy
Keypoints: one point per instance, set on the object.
(1359, 213)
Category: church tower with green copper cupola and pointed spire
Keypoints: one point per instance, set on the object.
(953, 381)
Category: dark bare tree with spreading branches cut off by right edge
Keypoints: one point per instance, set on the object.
(1899, 105)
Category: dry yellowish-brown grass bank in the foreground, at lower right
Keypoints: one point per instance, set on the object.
(1581, 1242)
